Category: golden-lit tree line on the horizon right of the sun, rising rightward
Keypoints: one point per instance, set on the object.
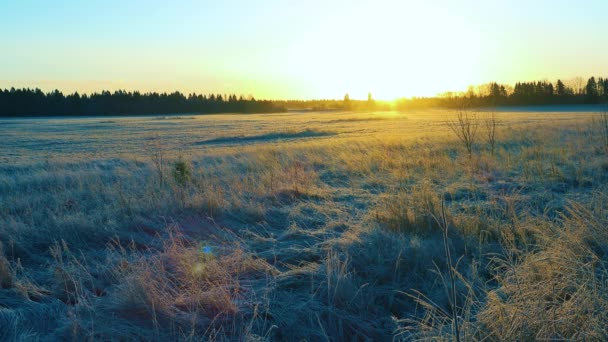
(577, 92)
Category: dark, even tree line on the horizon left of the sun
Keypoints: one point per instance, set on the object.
(28, 102)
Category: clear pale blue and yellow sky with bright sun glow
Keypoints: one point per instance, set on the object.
(298, 49)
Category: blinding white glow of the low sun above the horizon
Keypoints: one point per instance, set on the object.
(393, 53)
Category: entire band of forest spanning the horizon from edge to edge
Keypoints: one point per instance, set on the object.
(35, 102)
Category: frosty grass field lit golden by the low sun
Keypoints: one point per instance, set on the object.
(305, 225)
